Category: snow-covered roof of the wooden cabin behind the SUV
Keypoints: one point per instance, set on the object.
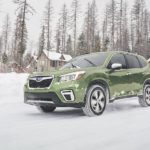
(57, 56)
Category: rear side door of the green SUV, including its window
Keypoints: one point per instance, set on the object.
(135, 74)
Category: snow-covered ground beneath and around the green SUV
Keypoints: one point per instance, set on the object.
(123, 126)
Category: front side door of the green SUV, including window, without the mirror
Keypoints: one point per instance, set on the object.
(118, 79)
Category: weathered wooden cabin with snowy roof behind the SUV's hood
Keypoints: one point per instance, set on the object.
(49, 60)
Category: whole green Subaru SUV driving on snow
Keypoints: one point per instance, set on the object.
(91, 82)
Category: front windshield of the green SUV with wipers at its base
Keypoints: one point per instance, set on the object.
(85, 61)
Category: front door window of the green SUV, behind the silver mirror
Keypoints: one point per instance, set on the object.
(118, 58)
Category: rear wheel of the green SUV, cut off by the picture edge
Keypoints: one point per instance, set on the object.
(144, 101)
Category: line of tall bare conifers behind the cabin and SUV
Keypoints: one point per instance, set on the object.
(121, 29)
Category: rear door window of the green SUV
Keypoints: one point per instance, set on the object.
(132, 62)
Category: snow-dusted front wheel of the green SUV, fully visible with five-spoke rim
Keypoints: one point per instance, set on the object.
(96, 100)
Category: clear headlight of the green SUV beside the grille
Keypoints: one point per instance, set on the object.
(72, 76)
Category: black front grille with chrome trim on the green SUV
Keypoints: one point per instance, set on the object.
(40, 82)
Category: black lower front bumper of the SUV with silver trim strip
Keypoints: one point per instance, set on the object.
(49, 98)
